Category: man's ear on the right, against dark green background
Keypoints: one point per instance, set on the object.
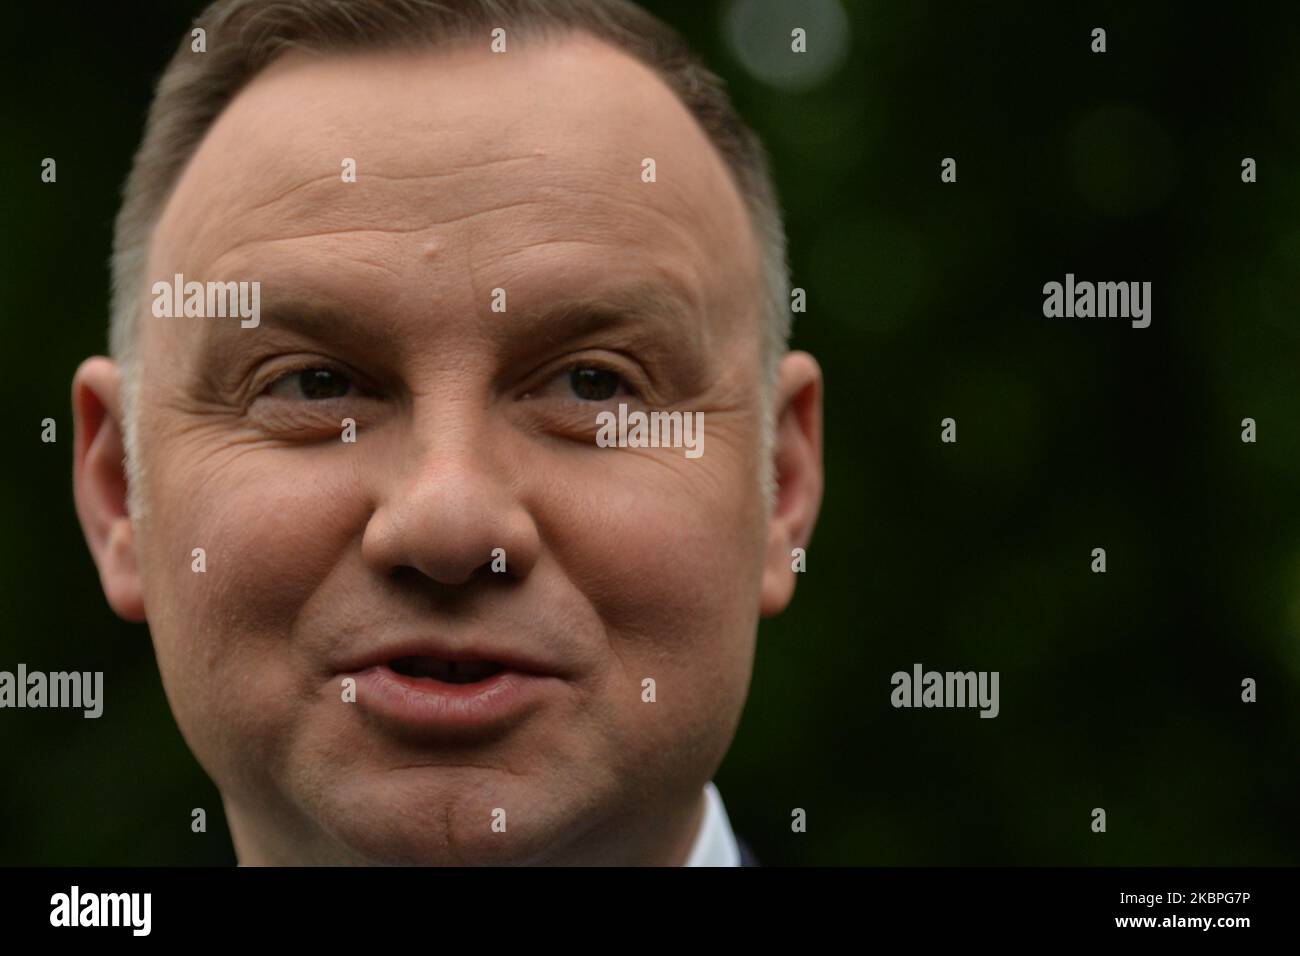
(798, 466)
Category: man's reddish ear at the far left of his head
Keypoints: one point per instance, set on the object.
(99, 485)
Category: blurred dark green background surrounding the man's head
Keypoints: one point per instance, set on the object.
(925, 301)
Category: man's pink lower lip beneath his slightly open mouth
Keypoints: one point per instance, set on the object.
(423, 704)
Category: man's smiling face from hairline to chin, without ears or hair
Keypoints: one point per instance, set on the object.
(475, 431)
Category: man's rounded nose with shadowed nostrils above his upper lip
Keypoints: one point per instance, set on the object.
(445, 508)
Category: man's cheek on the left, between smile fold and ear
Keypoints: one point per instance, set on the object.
(274, 529)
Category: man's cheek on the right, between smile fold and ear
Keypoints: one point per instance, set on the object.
(669, 555)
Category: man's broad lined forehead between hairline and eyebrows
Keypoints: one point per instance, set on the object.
(519, 170)
